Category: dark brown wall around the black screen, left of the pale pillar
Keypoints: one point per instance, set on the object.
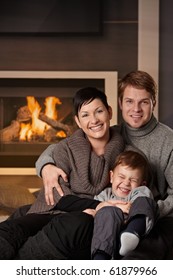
(114, 49)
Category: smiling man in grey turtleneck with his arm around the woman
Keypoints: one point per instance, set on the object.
(137, 99)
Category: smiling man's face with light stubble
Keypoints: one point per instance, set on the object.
(137, 106)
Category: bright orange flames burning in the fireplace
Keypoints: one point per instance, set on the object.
(37, 127)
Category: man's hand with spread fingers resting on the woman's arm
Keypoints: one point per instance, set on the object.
(50, 175)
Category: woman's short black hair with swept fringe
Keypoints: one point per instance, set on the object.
(87, 95)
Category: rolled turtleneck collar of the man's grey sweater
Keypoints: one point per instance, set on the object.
(142, 131)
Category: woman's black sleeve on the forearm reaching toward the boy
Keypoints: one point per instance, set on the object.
(70, 203)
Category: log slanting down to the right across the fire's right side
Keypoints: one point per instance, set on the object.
(58, 125)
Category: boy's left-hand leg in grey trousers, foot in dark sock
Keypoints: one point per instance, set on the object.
(107, 226)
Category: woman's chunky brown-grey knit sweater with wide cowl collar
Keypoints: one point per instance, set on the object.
(88, 173)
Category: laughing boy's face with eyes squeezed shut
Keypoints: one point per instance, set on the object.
(124, 179)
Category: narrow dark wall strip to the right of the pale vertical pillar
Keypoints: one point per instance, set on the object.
(166, 65)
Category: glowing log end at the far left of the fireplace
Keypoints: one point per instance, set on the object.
(10, 132)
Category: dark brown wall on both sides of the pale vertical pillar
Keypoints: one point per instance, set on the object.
(114, 49)
